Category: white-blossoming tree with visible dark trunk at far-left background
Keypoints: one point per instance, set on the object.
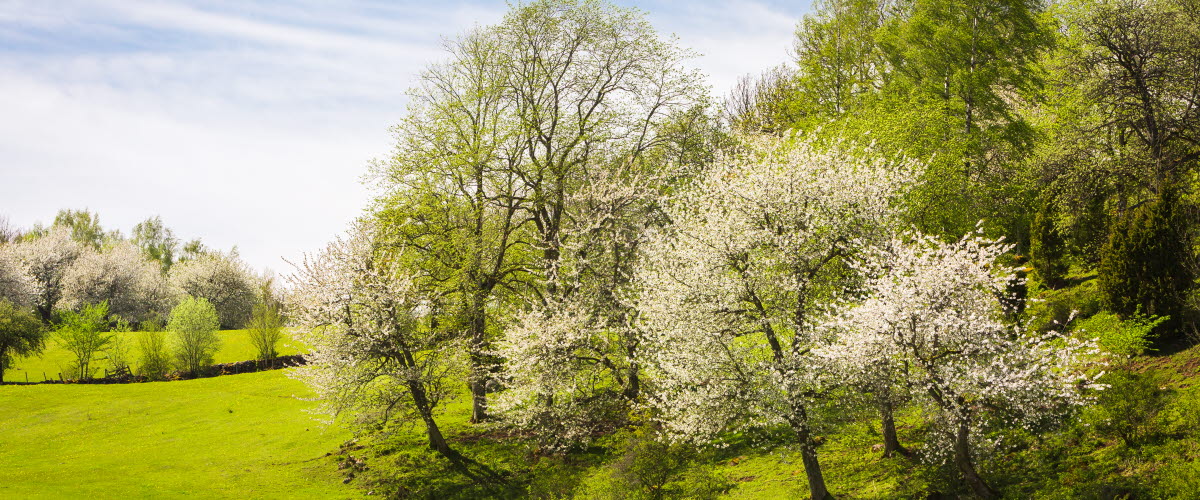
(47, 260)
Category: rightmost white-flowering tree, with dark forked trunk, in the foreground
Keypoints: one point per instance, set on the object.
(934, 318)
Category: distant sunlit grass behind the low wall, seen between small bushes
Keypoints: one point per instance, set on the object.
(235, 347)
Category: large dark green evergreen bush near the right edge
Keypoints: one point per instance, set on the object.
(1143, 268)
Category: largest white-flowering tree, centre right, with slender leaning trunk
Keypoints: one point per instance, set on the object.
(733, 288)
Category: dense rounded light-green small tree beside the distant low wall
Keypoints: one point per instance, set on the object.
(194, 324)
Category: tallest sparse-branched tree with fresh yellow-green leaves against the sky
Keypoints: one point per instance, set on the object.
(525, 116)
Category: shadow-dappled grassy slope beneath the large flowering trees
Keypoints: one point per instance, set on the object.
(1141, 441)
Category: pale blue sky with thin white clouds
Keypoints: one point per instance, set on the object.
(249, 123)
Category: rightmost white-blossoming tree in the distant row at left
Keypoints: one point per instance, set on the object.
(224, 281)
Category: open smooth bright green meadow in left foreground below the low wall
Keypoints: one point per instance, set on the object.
(229, 437)
